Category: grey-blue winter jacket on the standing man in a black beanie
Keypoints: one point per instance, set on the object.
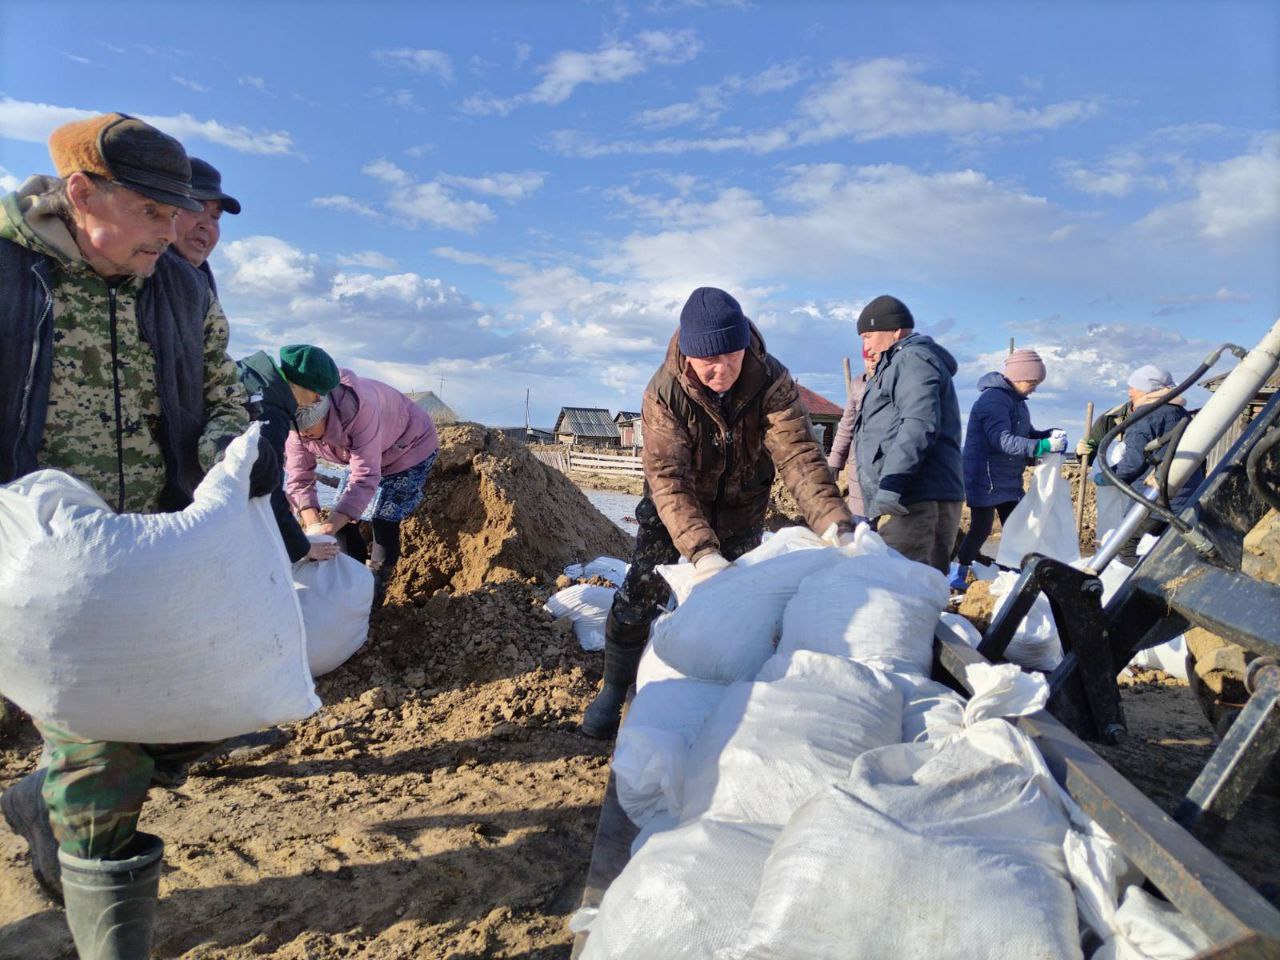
(908, 431)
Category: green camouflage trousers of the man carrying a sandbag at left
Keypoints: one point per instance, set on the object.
(95, 790)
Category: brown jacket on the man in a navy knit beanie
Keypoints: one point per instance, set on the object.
(710, 465)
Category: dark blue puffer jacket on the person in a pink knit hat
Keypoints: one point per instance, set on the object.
(998, 445)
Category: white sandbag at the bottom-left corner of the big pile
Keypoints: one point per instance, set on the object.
(684, 895)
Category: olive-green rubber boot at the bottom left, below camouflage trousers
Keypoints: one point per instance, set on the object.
(112, 904)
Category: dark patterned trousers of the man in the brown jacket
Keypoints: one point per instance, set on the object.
(644, 593)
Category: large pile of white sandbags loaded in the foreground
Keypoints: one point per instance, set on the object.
(804, 792)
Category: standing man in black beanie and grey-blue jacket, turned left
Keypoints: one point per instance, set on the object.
(908, 436)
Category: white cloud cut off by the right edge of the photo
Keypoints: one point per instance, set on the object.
(1235, 200)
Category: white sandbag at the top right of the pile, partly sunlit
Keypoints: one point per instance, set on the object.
(880, 610)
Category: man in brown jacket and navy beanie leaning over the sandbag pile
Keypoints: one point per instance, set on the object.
(720, 418)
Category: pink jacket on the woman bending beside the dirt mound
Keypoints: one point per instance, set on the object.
(373, 428)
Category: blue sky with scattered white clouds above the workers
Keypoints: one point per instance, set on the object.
(515, 196)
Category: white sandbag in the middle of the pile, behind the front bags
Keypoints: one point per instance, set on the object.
(770, 746)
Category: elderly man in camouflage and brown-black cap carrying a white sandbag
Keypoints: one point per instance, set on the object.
(115, 369)
